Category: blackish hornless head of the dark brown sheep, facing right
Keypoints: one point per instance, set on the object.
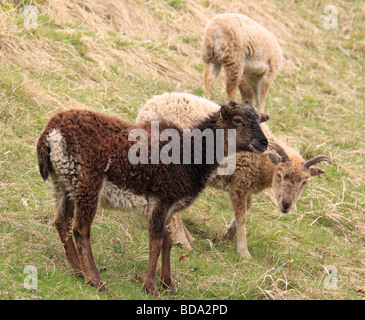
(246, 120)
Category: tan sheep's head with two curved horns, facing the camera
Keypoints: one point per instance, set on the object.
(290, 176)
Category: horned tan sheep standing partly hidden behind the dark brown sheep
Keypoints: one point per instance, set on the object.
(284, 169)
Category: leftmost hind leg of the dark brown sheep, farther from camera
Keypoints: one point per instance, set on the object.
(63, 223)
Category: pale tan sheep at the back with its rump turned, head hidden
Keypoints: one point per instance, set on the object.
(249, 53)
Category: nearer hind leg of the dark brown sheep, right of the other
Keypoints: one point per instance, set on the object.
(86, 207)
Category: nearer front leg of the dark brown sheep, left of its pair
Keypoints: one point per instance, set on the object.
(156, 230)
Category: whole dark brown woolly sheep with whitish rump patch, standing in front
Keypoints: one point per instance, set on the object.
(86, 155)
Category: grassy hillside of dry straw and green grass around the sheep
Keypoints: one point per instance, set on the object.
(111, 56)
